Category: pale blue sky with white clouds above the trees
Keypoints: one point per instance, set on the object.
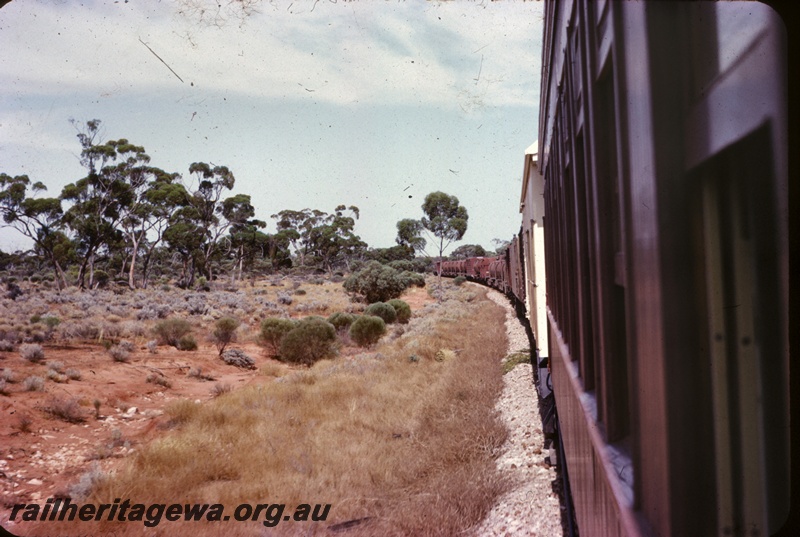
(311, 104)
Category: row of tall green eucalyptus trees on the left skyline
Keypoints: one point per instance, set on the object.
(129, 223)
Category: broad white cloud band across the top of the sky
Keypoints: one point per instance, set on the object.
(366, 52)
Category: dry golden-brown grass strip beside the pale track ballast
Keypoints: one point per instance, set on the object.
(396, 439)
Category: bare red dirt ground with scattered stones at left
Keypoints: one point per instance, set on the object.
(50, 454)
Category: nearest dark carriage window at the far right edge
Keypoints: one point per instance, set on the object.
(748, 363)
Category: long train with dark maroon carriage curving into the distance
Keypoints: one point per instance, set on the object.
(653, 264)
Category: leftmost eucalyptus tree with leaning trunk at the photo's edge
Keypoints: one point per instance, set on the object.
(39, 219)
